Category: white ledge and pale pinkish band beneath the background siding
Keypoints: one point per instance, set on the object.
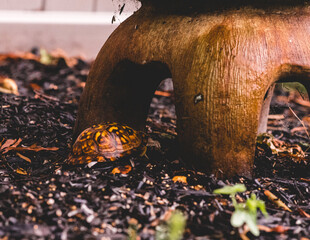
(76, 32)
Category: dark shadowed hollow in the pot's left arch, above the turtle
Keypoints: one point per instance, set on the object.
(129, 91)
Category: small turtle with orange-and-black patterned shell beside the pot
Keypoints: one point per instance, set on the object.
(107, 142)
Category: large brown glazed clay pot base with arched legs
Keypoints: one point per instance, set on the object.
(222, 57)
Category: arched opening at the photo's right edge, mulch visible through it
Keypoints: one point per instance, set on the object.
(283, 148)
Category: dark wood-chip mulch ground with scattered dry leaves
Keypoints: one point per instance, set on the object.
(40, 198)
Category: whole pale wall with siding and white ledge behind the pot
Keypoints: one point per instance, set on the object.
(79, 27)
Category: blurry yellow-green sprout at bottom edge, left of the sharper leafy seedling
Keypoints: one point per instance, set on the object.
(173, 229)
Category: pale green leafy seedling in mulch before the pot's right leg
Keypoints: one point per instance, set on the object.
(245, 213)
